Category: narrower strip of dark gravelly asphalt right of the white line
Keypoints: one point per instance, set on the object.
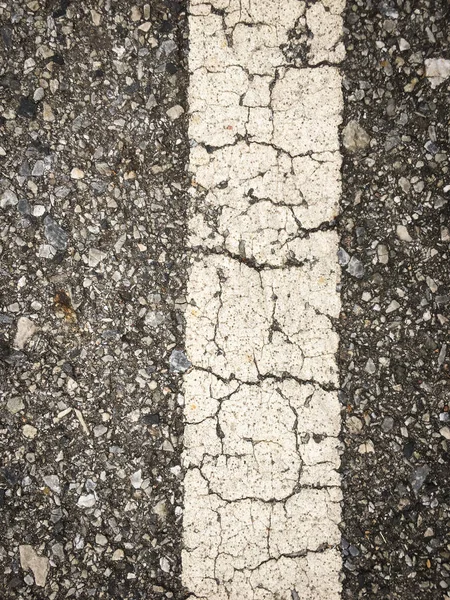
(394, 329)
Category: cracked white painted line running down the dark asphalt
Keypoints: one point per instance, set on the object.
(262, 493)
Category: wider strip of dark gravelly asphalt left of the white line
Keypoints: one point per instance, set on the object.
(93, 151)
